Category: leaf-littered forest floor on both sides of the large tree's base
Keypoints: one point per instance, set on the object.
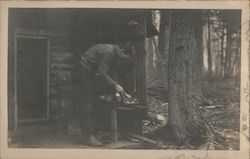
(221, 106)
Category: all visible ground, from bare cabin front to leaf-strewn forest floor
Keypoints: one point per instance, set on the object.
(221, 106)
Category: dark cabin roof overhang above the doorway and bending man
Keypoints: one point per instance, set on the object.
(103, 24)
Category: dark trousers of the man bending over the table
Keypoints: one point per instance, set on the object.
(84, 82)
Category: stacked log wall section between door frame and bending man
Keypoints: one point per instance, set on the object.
(61, 65)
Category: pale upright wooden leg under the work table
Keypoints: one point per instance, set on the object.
(114, 131)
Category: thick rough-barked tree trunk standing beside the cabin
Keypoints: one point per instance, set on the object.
(184, 76)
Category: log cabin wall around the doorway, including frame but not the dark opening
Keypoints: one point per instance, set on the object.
(60, 66)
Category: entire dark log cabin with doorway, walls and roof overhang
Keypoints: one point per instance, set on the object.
(42, 46)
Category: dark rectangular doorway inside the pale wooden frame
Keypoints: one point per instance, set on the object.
(32, 78)
